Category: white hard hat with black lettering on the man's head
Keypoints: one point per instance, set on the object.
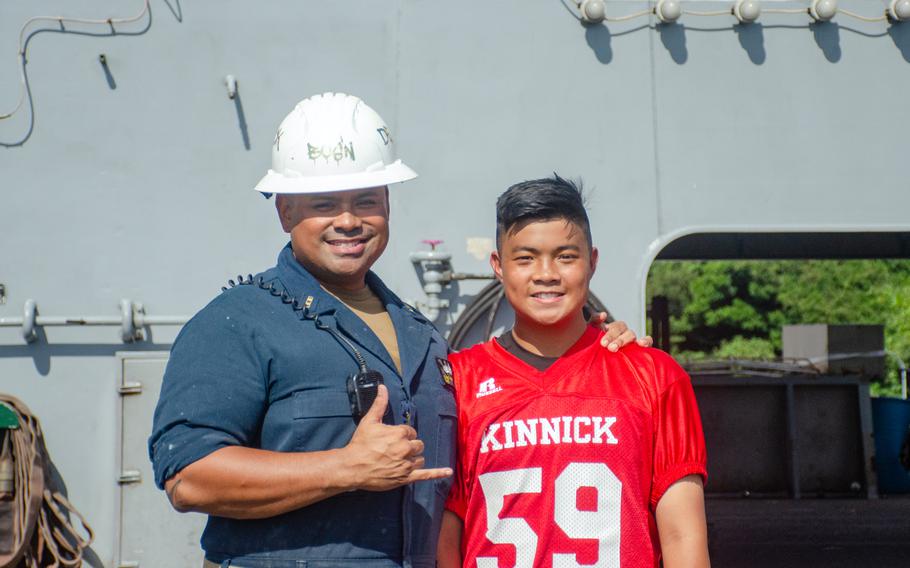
(332, 142)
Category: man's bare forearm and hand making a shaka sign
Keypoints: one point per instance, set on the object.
(249, 483)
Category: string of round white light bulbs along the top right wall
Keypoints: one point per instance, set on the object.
(745, 11)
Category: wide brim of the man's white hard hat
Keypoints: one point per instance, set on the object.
(274, 182)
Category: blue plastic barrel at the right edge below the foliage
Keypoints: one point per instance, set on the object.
(891, 420)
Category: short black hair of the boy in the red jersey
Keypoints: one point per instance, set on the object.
(541, 200)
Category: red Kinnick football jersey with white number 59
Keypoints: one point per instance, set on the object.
(565, 467)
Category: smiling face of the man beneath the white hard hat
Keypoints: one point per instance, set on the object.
(337, 236)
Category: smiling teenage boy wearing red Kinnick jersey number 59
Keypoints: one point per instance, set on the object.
(568, 454)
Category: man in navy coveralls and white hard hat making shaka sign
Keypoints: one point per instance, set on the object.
(255, 426)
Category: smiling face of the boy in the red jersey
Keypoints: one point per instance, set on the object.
(545, 268)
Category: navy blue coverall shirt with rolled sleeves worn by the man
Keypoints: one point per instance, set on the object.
(253, 368)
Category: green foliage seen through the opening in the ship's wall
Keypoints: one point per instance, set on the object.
(724, 309)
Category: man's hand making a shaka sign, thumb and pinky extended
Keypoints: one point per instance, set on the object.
(382, 457)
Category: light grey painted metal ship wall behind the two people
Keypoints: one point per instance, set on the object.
(143, 191)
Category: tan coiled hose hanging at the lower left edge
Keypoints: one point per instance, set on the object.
(35, 528)
